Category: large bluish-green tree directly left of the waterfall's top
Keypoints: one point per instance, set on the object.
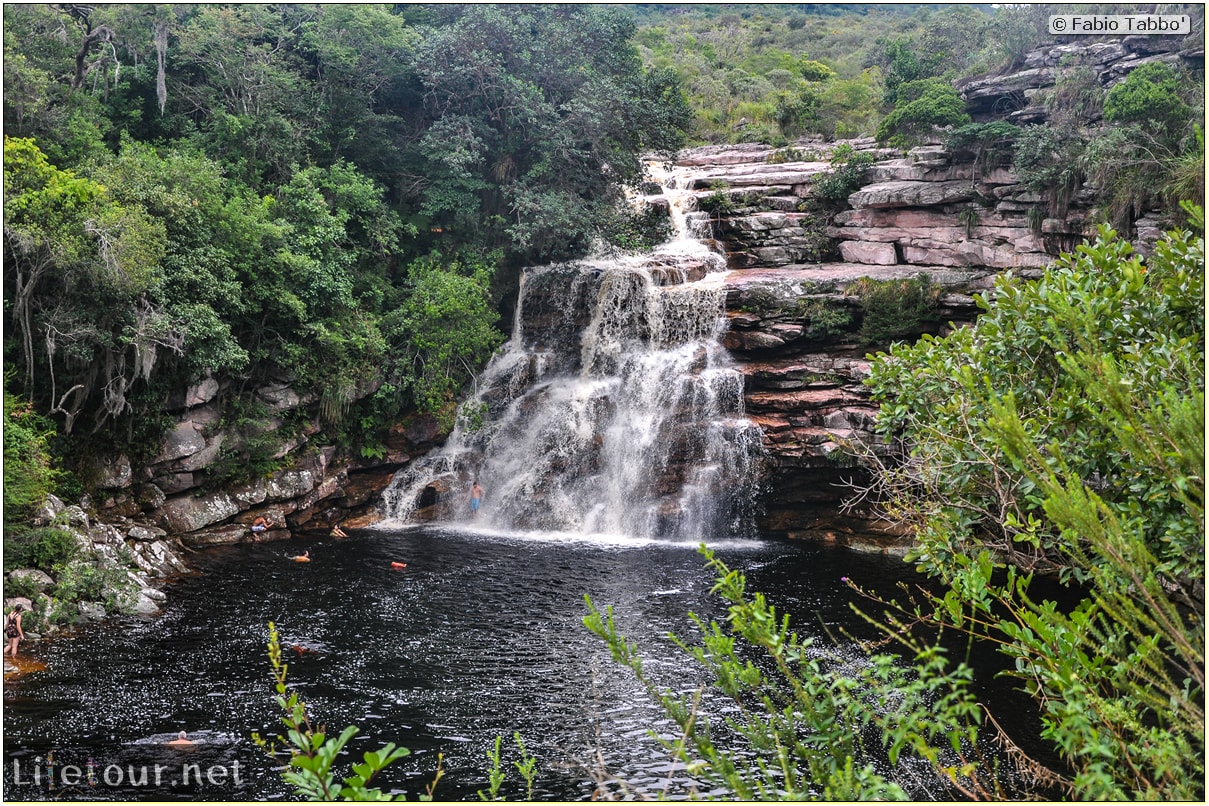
(540, 117)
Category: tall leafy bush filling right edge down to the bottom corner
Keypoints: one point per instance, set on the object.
(1066, 431)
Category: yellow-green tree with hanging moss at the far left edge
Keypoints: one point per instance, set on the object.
(80, 265)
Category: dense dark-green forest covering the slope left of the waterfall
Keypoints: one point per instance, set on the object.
(338, 196)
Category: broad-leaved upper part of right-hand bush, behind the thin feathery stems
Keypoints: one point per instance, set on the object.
(1098, 303)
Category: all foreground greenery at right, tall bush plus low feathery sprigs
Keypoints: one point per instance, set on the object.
(1063, 366)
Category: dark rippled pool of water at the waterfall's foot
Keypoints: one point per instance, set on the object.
(478, 637)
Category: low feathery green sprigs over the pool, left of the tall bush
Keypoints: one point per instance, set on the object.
(808, 715)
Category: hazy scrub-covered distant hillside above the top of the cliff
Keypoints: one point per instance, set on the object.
(776, 73)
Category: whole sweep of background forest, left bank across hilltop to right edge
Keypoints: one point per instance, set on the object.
(342, 196)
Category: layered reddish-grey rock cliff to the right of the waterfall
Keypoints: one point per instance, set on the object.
(807, 281)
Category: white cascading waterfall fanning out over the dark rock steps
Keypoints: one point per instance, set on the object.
(612, 410)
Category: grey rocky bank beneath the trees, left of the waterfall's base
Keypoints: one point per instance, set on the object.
(177, 494)
